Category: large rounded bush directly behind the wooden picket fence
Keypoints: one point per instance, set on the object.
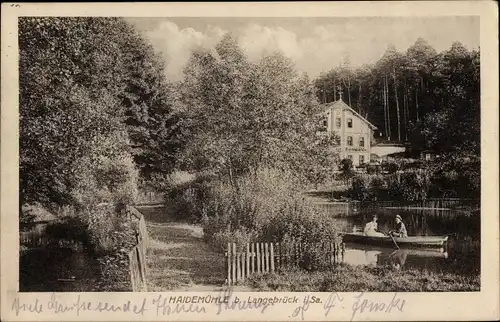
(267, 206)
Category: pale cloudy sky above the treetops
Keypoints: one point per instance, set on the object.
(315, 44)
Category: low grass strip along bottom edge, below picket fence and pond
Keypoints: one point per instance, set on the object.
(347, 278)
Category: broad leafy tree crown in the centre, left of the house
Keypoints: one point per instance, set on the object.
(244, 116)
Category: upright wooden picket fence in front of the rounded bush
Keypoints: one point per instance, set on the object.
(272, 257)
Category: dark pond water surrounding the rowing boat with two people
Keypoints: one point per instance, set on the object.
(461, 254)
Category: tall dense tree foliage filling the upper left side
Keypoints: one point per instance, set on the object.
(88, 87)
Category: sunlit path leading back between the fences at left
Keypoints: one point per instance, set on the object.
(178, 257)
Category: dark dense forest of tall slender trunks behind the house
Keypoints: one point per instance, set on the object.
(426, 98)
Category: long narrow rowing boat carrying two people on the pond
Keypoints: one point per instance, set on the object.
(411, 241)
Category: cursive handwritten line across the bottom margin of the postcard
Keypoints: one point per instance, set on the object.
(225, 301)
